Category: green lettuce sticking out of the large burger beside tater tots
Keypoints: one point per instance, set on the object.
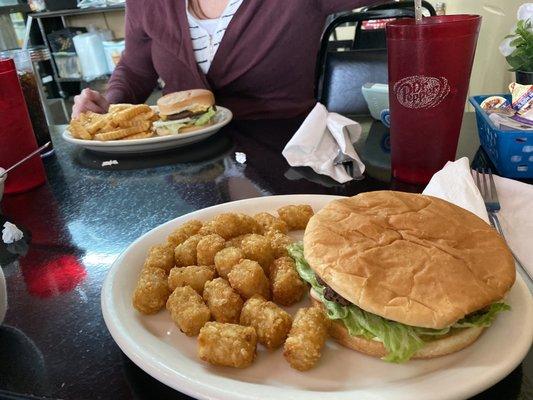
(401, 341)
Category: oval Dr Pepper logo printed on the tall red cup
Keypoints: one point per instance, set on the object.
(421, 91)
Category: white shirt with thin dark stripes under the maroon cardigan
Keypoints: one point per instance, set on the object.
(207, 34)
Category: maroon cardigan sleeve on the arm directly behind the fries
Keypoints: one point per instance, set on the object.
(134, 77)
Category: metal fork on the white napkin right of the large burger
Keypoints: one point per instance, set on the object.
(487, 188)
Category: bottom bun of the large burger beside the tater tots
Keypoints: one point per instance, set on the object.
(436, 348)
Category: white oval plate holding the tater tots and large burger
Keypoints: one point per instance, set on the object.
(157, 346)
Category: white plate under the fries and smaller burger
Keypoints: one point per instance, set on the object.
(156, 143)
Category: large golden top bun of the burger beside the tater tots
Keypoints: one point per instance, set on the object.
(409, 258)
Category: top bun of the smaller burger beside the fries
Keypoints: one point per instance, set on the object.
(176, 102)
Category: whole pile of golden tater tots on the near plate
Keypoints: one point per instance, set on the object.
(225, 280)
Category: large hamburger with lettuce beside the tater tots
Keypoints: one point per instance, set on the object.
(404, 275)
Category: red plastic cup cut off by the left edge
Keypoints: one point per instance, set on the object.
(16, 134)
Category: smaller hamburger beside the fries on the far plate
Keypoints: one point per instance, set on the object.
(185, 111)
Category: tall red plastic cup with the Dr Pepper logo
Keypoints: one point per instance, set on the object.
(429, 74)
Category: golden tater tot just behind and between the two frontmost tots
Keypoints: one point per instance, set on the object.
(271, 323)
